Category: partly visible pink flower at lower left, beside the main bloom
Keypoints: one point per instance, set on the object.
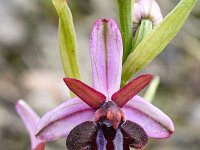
(30, 119)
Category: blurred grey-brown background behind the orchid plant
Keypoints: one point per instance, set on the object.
(30, 68)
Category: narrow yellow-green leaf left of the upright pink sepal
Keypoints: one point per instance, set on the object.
(67, 40)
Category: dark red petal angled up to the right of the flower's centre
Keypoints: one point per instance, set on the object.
(122, 96)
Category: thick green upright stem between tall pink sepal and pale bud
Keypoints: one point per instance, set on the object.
(125, 16)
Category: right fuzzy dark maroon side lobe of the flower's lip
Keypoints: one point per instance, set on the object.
(134, 135)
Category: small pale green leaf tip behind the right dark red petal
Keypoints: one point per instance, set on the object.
(151, 91)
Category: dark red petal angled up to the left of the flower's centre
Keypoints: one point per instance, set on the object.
(89, 95)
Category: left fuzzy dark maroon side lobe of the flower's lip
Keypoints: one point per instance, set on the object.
(82, 137)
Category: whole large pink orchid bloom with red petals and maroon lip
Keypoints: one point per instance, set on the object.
(104, 116)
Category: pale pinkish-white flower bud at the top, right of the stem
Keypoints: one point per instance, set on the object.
(146, 9)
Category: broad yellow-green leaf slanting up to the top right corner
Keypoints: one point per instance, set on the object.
(157, 40)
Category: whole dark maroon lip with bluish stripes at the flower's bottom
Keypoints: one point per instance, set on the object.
(88, 136)
